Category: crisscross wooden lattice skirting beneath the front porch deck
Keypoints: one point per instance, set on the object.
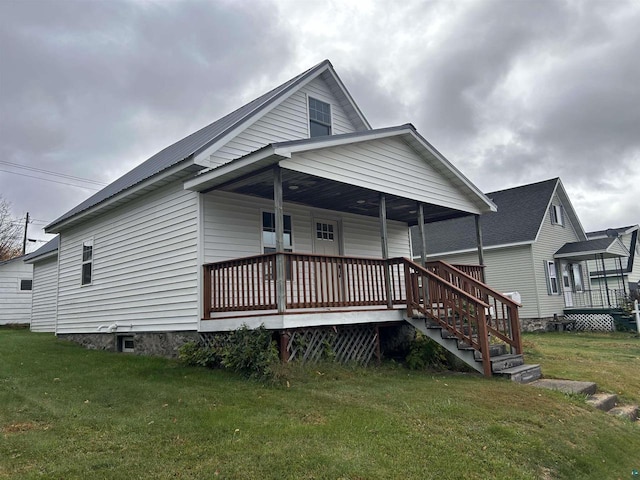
(343, 344)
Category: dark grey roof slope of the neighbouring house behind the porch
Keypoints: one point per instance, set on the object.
(518, 219)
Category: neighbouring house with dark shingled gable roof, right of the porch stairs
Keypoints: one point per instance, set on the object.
(534, 245)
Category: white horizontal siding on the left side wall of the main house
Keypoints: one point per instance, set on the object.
(144, 267)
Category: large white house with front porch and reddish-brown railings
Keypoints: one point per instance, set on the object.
(290, 212)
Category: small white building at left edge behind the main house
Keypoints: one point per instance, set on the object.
(15, 291)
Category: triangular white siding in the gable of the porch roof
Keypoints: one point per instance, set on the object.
(382, 165)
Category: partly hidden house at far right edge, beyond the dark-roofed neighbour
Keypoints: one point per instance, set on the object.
(621, 274)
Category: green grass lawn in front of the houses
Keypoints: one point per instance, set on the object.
(67, 412)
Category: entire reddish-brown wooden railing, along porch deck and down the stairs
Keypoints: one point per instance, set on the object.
(455, 299)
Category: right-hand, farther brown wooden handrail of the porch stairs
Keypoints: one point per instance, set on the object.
(485, 290)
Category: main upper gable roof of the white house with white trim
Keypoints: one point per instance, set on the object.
(185, 149)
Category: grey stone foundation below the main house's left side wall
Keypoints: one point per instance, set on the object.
(163, 344)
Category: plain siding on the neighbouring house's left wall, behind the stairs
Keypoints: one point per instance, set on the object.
(507, 270)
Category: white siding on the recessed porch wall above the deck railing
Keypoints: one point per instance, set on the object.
(233, 226)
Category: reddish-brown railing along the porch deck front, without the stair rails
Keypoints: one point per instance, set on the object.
(312, 281)
